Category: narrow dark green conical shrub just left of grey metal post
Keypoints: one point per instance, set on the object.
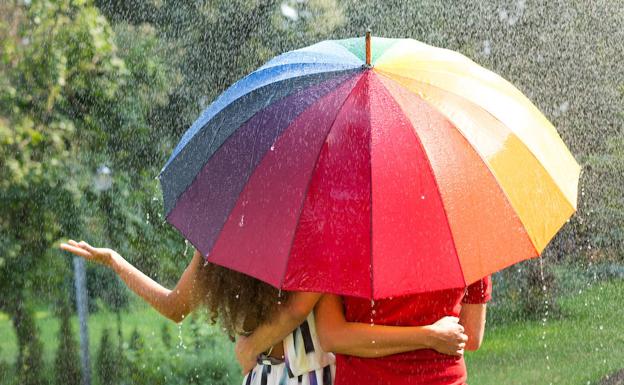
(67, 361)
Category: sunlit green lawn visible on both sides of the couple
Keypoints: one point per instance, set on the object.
(581, 348)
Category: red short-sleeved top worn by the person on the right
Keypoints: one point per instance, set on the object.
(425, 366)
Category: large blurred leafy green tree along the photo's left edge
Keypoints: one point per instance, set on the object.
(70, 100)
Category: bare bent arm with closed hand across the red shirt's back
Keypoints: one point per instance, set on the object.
(363, 340)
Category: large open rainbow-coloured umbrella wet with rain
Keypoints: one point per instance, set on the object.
(370, 172)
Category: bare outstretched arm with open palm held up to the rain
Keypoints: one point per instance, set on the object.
(174, 304)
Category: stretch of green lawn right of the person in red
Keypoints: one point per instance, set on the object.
(579, 349)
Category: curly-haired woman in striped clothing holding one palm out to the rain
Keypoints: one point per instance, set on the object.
(277, 339)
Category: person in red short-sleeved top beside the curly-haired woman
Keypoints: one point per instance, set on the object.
(424, 366)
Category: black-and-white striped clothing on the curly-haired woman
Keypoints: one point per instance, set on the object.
(305, 363)
